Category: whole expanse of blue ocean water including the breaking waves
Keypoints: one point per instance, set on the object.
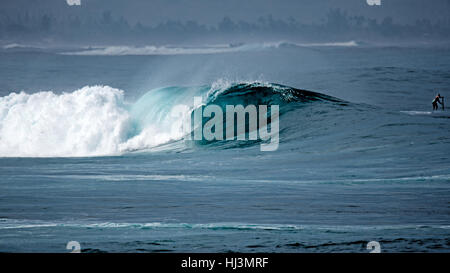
(88, 154)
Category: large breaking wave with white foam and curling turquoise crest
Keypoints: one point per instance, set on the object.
(96, 120)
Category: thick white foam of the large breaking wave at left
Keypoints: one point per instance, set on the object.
(92, 121)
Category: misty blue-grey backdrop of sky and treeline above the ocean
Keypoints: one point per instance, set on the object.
(156, 22)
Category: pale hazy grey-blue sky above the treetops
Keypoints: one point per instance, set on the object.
(152, 12)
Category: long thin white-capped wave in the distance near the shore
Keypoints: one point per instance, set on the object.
(209, 49)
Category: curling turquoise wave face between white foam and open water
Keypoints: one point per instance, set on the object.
(154, 110)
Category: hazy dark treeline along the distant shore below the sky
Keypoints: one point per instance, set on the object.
(104, 28)
